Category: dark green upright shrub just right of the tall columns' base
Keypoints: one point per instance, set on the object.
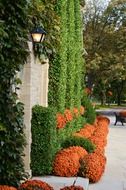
(90, 113)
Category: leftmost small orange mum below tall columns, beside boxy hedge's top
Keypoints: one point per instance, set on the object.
(61, 122)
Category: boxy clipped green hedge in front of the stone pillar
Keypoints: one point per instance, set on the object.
(44, 140)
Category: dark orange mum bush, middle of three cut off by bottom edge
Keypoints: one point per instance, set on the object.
(34, 184)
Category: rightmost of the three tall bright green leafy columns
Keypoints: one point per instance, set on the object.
(78, 55)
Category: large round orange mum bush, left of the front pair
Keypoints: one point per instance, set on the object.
(67, 163)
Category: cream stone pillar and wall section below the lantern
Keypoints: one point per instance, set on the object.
(34, 90)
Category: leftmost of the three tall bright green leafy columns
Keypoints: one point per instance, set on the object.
(62, 56)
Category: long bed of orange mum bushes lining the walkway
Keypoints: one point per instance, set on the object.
(91, 165)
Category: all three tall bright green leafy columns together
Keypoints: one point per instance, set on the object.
(70, 57)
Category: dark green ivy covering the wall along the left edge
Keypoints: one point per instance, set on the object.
(13, 54)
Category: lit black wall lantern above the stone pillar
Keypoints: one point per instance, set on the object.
(38, 35)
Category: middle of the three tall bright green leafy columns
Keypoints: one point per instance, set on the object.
(70, 54)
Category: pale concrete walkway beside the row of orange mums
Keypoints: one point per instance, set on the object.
(114, 177)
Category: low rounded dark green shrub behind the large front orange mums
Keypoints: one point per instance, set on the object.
(79, 141)
